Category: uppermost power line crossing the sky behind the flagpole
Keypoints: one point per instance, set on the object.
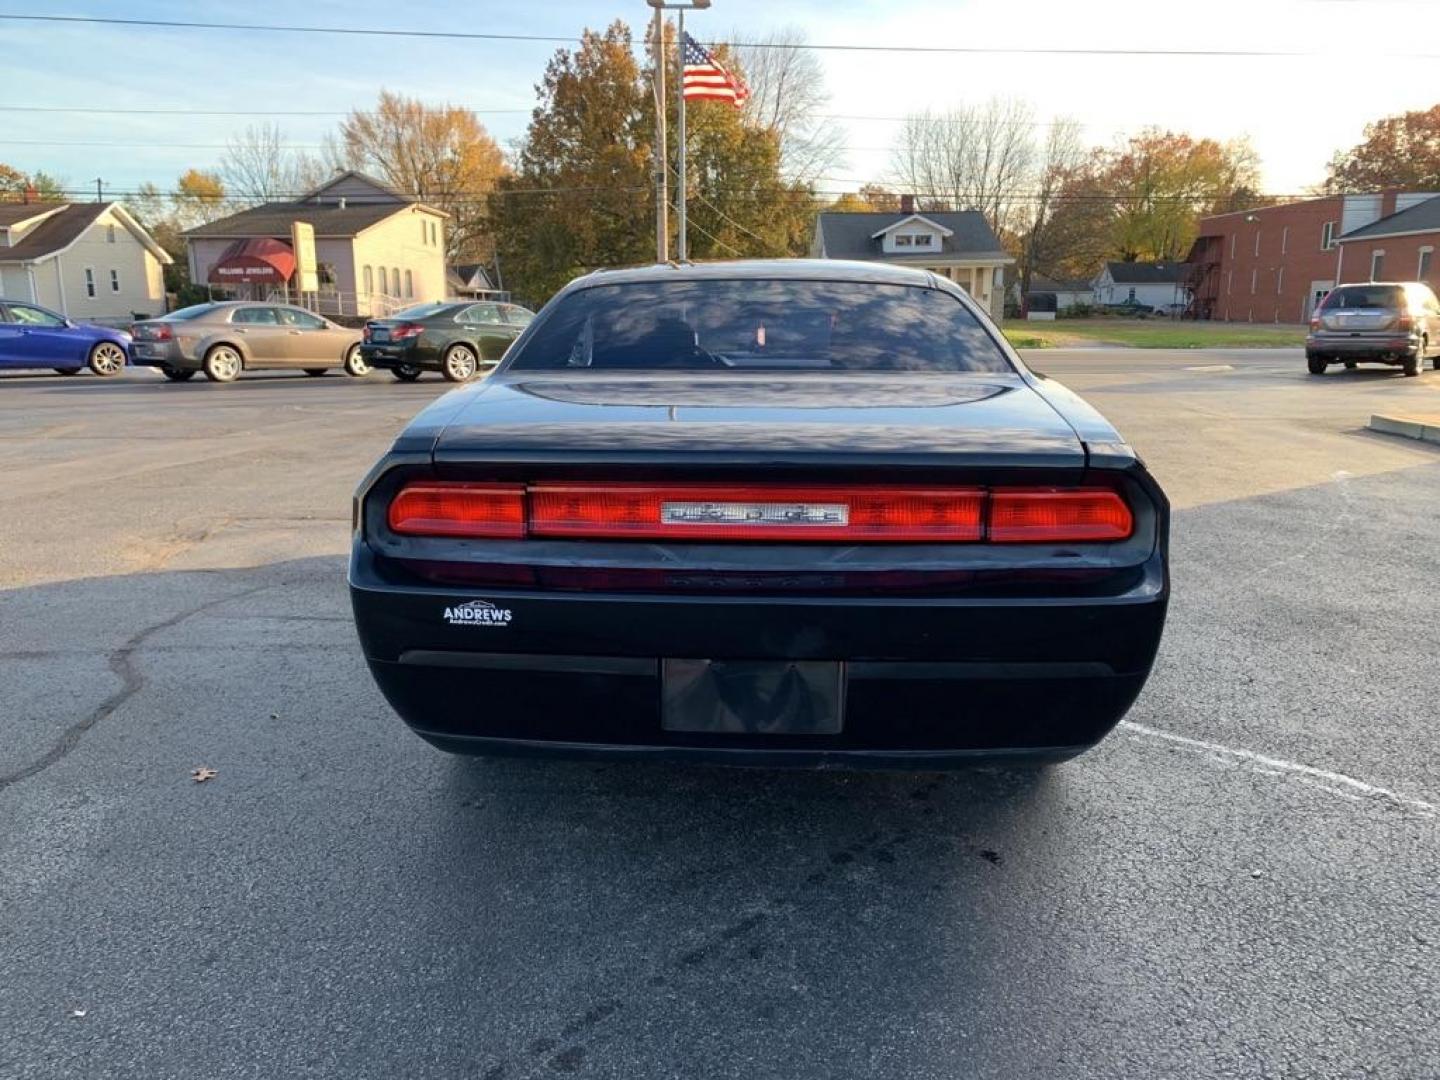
(554, 40)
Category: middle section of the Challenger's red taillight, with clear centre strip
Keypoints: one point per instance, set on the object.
(640, 512)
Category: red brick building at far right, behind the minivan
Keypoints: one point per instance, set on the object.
(1275, 264)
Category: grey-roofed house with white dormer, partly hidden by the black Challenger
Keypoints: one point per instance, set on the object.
(954, 244)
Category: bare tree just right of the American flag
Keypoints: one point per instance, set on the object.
(788, 97)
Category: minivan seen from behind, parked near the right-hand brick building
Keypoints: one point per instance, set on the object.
(1389, 323)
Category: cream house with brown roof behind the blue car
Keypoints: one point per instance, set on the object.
(83, 260)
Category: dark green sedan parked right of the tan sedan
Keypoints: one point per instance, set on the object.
(456, 338)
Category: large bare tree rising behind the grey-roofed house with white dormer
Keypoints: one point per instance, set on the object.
(976, 158)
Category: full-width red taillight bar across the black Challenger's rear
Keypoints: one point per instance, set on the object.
(768, 513)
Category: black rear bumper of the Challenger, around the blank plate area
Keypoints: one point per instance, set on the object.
(928, 683)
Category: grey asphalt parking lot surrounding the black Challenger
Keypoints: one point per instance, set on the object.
(1242, 882)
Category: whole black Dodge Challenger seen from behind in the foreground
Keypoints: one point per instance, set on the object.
(778, 513)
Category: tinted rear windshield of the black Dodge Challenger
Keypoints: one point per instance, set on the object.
(765, 326)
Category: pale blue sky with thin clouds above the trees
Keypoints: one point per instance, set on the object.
(1285, 104)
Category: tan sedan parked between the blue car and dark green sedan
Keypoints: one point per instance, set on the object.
(230, 338)
